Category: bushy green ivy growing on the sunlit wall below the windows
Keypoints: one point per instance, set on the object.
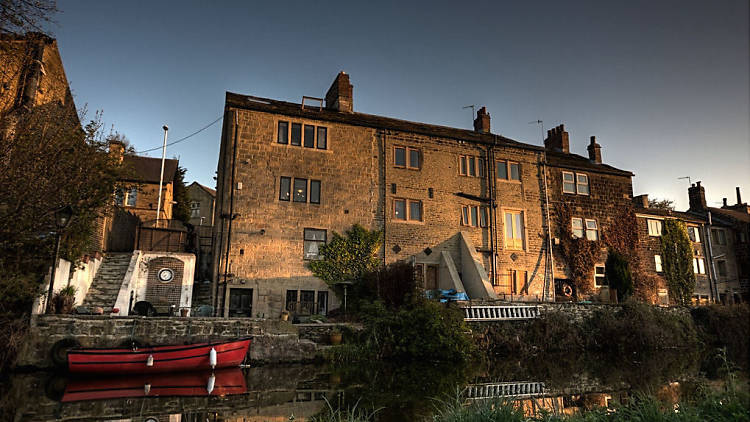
(348, 258)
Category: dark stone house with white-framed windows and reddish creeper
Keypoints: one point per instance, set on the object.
(595, 195)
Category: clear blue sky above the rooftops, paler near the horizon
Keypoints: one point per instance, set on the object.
(662, 84)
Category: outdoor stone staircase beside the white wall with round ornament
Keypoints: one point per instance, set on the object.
(106, 285)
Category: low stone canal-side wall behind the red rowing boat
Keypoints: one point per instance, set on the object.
(274, 341)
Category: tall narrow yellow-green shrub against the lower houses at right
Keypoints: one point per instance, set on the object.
(677, 261)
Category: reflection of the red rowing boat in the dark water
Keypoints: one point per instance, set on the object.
(223, 382)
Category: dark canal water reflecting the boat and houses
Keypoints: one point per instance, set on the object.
(395, 392)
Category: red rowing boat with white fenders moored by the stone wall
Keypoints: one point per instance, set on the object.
(147, 360)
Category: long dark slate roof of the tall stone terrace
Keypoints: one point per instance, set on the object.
(247, 102)
